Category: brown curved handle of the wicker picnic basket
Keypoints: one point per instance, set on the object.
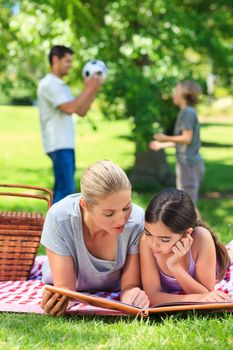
(47, 196)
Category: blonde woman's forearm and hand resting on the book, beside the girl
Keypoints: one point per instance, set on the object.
(131, 283)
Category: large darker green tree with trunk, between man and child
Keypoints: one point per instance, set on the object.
(148, 46)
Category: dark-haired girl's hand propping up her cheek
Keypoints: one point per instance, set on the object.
(178, 251)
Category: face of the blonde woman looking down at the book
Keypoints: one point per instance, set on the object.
(111, 213)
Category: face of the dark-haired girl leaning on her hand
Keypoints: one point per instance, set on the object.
(160, 238)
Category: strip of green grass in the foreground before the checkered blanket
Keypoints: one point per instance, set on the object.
(187, 331)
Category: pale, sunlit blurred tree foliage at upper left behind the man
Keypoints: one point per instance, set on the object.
(29, 34)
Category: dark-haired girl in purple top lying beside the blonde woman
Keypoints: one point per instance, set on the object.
(180, 258)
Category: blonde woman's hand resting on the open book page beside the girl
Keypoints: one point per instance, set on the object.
(136, 297)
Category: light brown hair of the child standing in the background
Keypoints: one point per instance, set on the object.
(190, 91)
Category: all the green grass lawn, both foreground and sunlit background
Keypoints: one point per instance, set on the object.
(22, 161)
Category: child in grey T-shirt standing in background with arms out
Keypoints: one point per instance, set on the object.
(190, 166)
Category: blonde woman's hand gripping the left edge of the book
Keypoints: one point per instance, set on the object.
(54, 304)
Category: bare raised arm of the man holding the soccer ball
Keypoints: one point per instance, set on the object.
(82, 103)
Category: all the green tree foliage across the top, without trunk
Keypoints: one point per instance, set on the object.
(148, 46)
